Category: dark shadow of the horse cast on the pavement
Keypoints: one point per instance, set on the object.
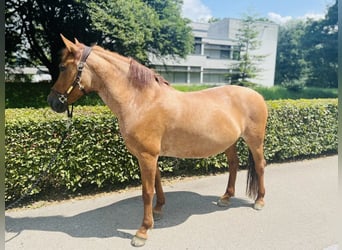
(109, 221)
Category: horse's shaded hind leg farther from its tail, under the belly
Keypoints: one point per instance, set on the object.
(233, 162)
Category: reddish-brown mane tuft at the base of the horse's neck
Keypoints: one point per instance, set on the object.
(142, 76)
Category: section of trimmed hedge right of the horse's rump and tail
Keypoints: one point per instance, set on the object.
(301, 128)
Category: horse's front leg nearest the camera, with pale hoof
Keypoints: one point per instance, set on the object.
(148, 168)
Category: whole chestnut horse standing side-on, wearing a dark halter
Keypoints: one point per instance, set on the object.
(157, 120)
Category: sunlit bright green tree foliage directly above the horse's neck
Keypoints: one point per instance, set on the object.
(136, 28)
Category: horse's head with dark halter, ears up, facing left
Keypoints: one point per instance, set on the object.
(72, 82)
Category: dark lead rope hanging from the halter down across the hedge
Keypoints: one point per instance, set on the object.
(52, 161)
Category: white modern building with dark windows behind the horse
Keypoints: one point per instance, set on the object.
(216, 51)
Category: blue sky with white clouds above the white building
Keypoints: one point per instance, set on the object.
(278, 11)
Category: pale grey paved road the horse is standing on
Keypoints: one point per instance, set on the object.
(299, 214)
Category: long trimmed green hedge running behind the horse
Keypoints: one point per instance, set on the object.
(94, 156)
